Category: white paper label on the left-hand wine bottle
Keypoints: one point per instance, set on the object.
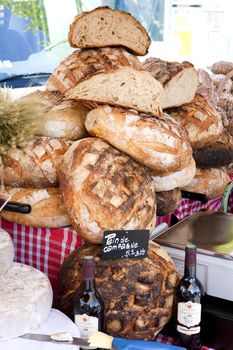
(87, 325)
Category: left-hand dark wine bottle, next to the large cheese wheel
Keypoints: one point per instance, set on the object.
(88, 305)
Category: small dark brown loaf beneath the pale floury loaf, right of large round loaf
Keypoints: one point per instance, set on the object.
(168, 201)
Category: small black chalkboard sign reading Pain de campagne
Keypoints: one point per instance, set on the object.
(125, 244)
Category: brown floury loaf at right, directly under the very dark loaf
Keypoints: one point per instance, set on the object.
(210, 182)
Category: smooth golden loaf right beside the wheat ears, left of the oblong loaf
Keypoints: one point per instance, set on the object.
(65, 120)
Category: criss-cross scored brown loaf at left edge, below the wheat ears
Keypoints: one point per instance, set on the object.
(35, 164)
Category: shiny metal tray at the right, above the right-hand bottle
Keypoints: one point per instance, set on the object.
(211, 232)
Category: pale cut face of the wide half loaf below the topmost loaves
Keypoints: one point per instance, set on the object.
(125, 87)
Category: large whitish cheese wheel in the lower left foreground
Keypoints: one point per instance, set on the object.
(26, 299)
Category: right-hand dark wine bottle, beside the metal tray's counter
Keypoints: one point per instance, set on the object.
(189, 294)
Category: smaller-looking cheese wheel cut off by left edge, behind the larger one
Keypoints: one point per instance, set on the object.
(6, 251)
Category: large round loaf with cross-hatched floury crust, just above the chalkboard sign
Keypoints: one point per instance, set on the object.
(103, 189)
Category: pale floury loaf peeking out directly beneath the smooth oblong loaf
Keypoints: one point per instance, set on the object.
(175, 179)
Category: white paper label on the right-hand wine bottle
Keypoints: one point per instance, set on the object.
(189, 317)
